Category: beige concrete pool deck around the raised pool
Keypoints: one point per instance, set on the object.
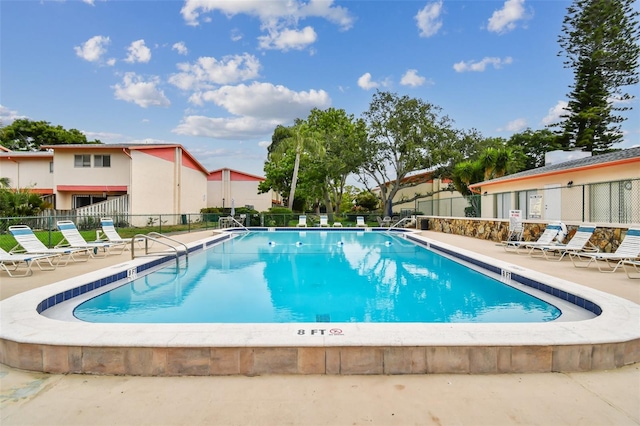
(596, 397)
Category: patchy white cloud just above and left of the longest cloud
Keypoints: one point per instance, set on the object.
(207, 71)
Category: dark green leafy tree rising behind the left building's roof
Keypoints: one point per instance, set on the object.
(27, 135)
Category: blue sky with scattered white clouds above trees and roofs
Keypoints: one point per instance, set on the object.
(218, 76)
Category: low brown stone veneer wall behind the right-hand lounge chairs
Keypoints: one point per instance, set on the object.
(607, 239)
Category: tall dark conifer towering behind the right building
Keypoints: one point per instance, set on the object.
(600, 42)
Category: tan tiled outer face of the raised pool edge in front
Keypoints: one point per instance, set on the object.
(251, 361)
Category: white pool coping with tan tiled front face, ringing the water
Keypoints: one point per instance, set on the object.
(31, 341)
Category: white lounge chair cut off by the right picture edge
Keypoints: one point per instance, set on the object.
(628, 250)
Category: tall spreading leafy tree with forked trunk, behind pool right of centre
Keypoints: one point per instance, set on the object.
(404, 135)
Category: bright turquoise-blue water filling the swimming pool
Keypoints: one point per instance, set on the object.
(315, 276)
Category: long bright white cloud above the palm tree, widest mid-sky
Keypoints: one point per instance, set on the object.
(266, 101)
